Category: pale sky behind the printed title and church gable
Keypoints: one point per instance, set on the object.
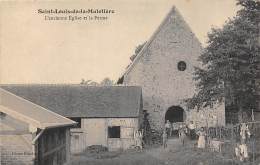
(35, 50)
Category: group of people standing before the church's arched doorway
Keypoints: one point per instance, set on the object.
(183, 131)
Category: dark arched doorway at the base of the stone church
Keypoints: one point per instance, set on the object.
(174, 114)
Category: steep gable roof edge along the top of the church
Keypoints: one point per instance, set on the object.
(172, 12)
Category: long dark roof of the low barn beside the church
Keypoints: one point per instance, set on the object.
(83, 101)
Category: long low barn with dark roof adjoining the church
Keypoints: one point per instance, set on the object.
(106, 116)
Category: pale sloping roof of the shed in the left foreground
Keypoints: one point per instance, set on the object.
(29, 112)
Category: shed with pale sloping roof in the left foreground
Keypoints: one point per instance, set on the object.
(31, 134)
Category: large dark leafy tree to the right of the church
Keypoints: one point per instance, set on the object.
(230, 62)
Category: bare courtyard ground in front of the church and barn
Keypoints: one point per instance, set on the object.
(174, 154)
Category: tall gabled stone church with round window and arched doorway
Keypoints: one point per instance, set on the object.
(164, 69)
